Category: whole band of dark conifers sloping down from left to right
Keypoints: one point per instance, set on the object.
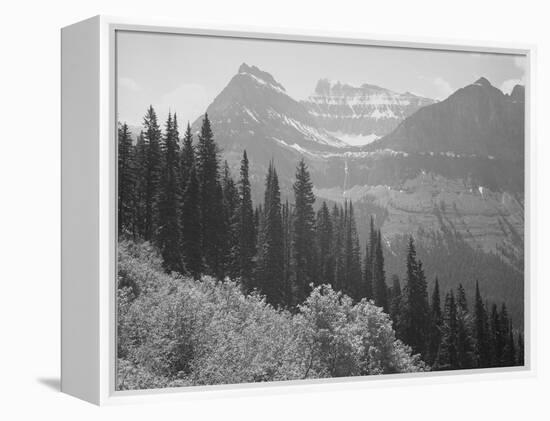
(181, 197)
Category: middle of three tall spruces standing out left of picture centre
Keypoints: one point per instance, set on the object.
(270, 247)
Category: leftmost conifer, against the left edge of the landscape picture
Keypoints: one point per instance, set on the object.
(125, 180)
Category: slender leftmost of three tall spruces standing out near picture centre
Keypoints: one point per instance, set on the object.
(245, 229)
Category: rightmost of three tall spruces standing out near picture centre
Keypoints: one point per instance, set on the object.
(304, 232)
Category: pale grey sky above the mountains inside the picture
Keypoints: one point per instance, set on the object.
(184, 73)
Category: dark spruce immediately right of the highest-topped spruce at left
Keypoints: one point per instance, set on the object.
(169, 240)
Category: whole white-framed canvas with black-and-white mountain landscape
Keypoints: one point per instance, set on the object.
(244, 210)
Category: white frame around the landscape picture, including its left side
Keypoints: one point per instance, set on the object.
(89, 211)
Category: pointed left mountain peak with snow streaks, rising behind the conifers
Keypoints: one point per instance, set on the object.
(255, 113)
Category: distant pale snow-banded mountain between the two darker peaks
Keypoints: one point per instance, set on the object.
(359, 115)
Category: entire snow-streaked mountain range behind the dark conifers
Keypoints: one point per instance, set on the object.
(451, 172)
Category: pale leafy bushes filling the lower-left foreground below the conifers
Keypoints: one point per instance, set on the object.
(175, 331)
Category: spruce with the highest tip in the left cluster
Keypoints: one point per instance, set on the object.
(153, 167)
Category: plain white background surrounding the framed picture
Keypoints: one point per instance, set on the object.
(29, 209)
